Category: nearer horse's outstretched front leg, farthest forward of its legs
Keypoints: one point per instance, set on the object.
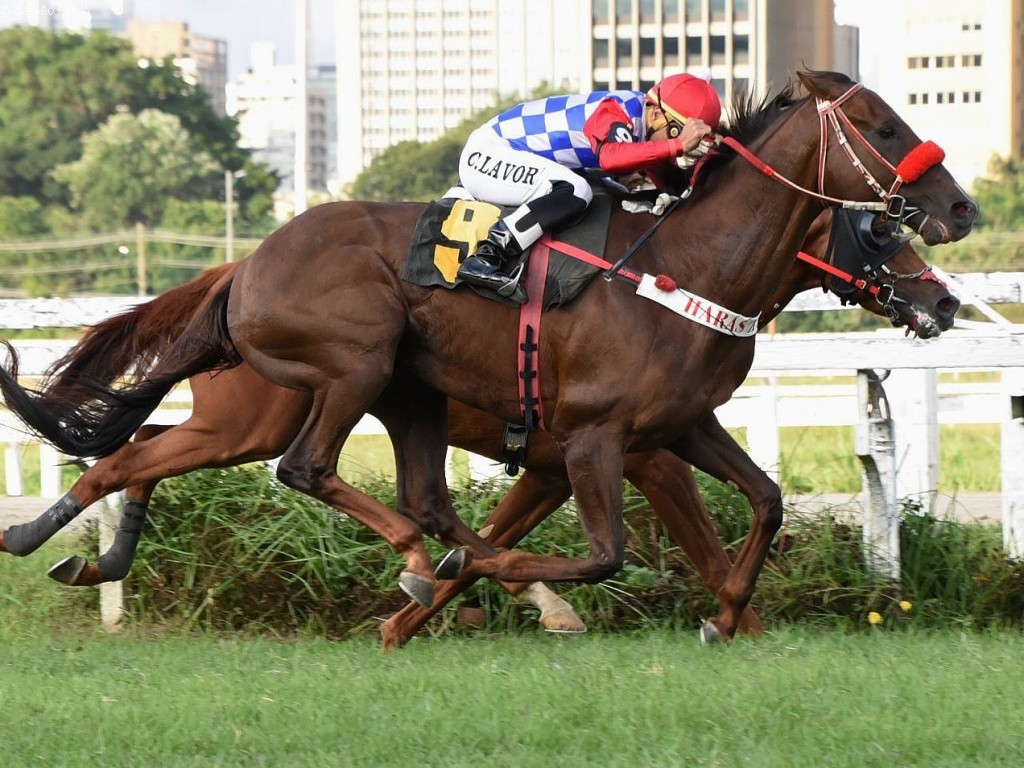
(710, 448)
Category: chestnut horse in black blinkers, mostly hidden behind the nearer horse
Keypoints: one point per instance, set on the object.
(239, 417)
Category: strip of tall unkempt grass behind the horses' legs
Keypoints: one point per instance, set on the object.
(233, 550)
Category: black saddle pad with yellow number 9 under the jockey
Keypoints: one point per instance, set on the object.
(450, 229)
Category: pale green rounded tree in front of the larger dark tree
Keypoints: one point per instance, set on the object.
(133, 166)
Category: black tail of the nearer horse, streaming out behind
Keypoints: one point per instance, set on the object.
(99, 417)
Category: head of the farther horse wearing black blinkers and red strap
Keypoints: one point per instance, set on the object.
(883, 275)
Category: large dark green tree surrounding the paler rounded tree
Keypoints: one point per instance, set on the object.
(57, 88)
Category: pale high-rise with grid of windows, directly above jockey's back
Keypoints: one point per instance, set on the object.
(411, 70)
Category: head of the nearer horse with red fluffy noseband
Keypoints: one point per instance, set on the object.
(882, 154)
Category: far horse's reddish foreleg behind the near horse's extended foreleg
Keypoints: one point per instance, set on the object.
(668, 484)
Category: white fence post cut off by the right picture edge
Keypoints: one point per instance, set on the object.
(1012, 449)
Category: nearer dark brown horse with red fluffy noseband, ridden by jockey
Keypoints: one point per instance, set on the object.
(321, 307)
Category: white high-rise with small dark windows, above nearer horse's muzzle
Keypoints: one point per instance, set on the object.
(957, 75)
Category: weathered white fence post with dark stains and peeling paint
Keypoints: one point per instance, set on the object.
(875, 446)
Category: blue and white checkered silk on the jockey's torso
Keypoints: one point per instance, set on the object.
(553, 127)
